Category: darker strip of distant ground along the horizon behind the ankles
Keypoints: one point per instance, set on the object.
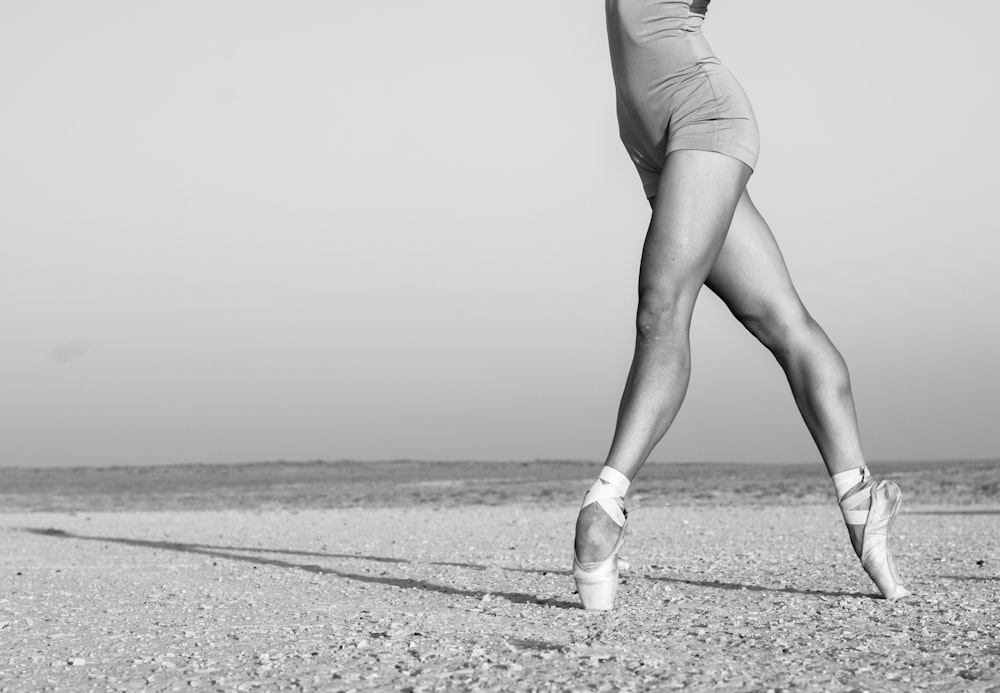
(409, 483)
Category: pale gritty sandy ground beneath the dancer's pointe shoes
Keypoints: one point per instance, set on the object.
(479, 597)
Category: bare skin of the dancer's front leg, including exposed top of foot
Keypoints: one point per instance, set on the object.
(692, 211)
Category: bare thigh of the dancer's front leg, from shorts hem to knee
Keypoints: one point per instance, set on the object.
(692, 211)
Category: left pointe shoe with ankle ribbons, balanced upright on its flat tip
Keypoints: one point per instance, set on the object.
(597, 583)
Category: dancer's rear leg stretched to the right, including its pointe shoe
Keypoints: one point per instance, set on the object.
(751, 278)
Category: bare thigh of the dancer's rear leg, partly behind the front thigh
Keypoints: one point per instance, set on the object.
(750, 274)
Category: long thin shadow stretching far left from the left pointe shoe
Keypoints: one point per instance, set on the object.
(406, 583)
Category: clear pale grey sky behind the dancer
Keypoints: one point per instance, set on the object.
(245, 231)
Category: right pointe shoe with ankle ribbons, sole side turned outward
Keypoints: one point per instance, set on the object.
(885, 501)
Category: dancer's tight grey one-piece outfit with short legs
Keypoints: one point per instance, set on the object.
(672, 92)
